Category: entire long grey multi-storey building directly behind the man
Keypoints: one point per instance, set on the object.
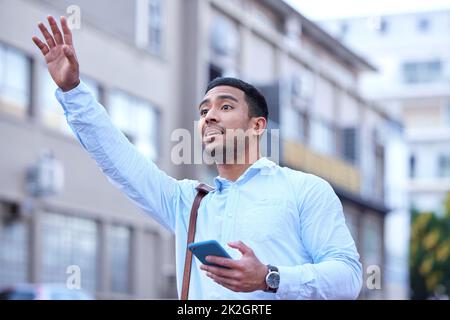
(150, 71)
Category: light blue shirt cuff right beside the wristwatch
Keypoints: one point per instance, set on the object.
(293, 282)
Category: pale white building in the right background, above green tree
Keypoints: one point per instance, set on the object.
(412, 53)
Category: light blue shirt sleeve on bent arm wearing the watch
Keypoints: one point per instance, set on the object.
(335, 272)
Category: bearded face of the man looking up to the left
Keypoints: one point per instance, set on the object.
(222, 111)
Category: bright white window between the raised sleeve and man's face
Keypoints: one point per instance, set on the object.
(138, 121)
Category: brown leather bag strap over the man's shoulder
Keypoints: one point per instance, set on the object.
(202, 190)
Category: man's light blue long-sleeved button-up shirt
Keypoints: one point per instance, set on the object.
(290, 219)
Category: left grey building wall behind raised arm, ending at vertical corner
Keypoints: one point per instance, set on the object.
(89, 223)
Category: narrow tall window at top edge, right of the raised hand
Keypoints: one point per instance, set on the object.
(155, 26)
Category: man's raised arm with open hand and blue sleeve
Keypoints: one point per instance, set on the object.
(161, 196)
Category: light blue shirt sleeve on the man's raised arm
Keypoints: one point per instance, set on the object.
(138, 177)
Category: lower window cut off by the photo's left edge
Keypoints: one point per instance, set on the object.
(13, 247)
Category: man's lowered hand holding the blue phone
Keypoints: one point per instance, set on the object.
(247, 274)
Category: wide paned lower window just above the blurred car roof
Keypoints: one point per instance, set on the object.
(68, 241)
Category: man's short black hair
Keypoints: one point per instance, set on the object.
(255, 100)
